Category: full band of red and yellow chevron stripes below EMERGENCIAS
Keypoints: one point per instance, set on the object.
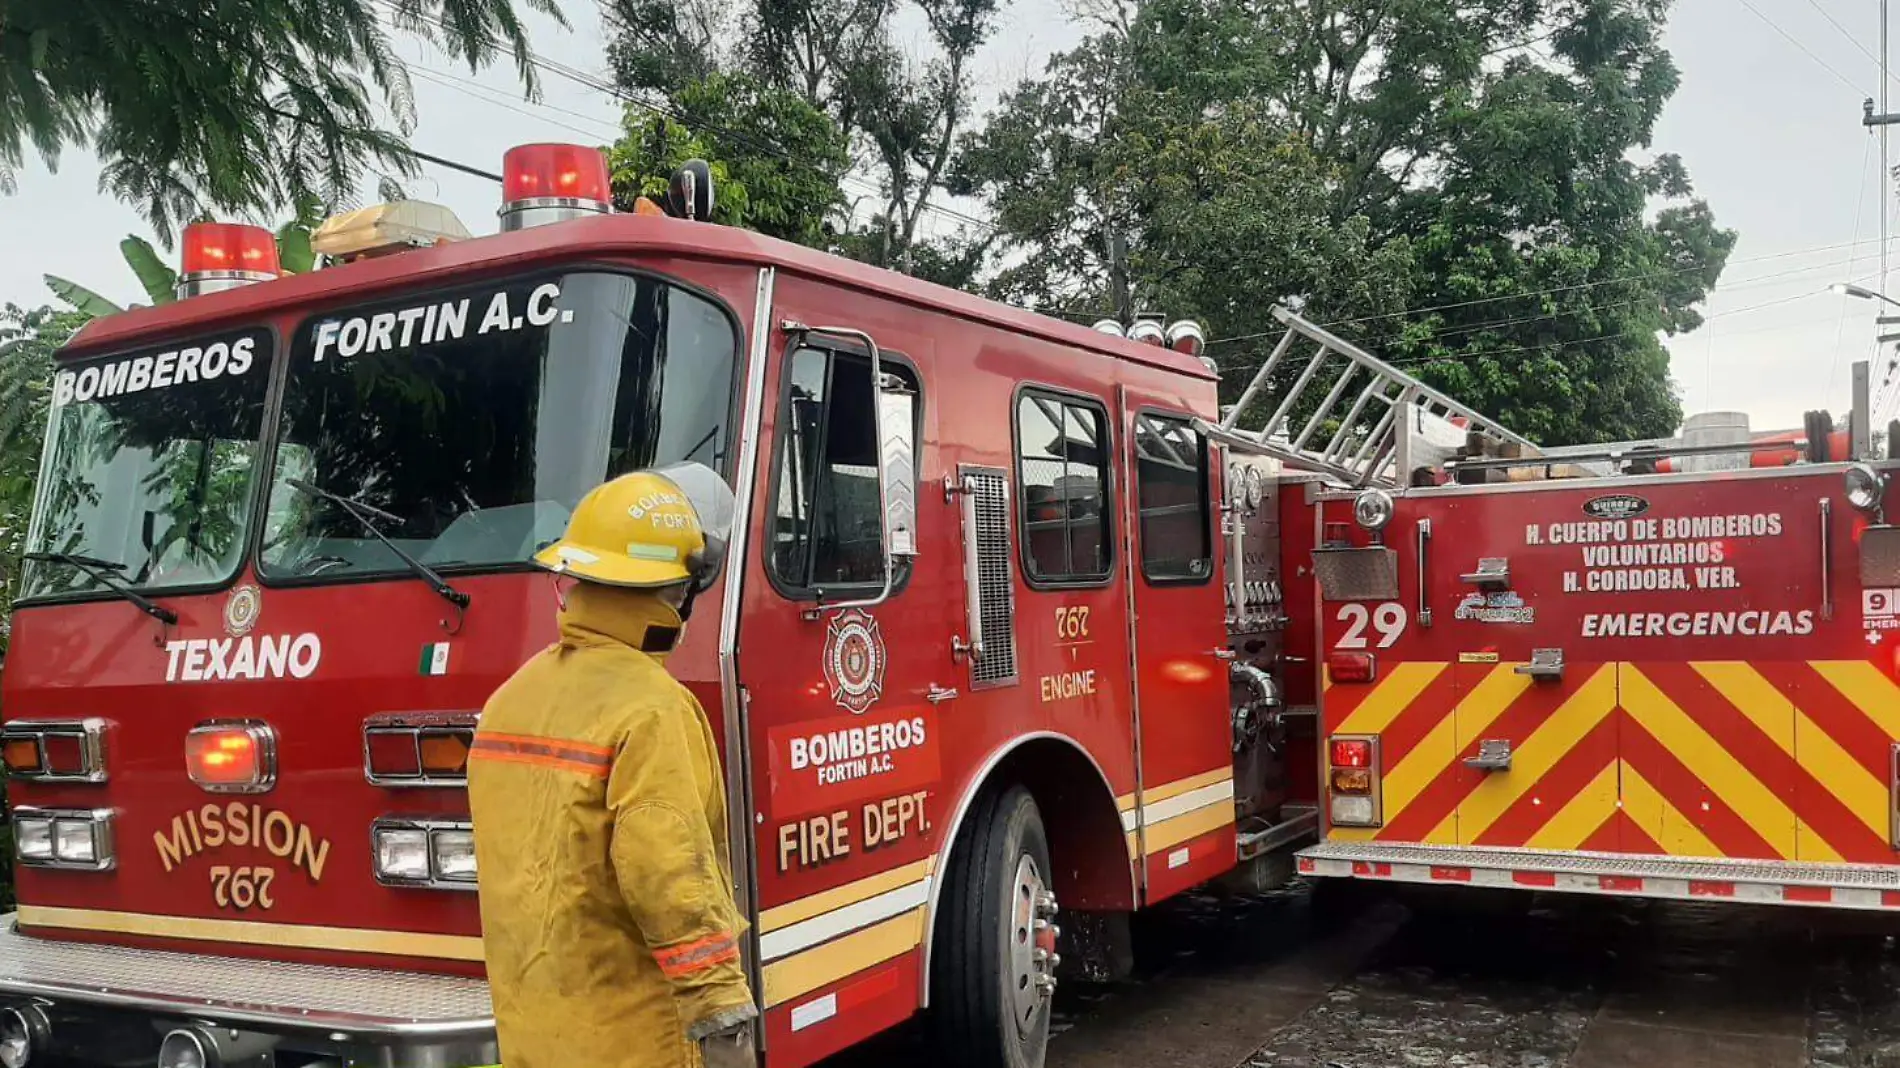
(1696, 759)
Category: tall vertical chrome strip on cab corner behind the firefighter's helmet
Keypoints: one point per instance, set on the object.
(732, 695)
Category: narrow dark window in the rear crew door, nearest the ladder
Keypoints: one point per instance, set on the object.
(1173, 499)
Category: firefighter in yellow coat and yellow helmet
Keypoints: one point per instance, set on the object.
(609, 921)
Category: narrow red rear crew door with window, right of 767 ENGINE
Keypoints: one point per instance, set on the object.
(1181, 643)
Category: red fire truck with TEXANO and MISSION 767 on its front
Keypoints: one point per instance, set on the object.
(970, 657)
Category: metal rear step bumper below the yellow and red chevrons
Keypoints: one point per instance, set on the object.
(1629, 875)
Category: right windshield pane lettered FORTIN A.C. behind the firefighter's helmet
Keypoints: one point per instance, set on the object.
(474, 421)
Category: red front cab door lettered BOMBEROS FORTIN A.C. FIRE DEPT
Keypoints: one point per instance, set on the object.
(839, 676)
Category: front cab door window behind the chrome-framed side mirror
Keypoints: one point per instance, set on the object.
(827, 531)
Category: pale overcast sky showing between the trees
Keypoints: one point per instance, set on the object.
(1768, 123)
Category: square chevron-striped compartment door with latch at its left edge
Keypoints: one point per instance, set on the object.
(1536, 759)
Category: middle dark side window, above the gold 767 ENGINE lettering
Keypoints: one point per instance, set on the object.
(1063, 470)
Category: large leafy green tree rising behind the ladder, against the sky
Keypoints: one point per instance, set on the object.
(1454, 185)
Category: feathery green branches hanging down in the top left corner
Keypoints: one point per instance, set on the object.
(237, 107)
